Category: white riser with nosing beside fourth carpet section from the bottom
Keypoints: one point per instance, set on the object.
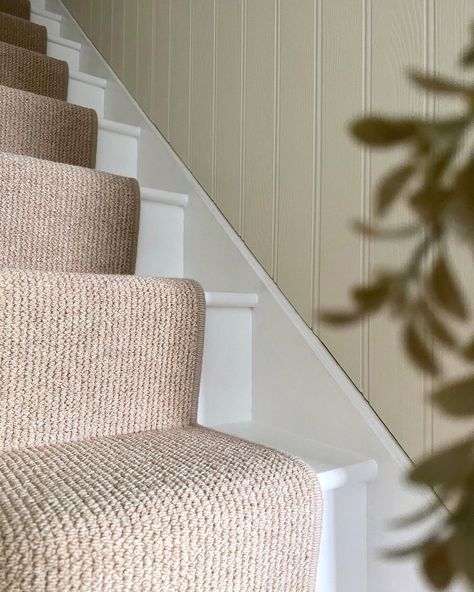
(117, 148)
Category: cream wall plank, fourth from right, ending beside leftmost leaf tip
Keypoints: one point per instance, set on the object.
(297, 128)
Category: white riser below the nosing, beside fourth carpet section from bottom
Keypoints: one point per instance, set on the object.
(117, 153)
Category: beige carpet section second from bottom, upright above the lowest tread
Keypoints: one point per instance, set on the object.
(86, 355)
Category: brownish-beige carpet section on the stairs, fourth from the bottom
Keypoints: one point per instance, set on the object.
(38, 126)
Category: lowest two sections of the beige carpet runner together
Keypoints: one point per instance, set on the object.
(169, 509)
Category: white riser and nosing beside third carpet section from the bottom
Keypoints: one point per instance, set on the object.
(161, 236)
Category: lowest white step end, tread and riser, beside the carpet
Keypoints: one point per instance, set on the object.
(343, 476)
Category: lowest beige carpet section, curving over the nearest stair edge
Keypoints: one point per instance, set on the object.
(186, 510)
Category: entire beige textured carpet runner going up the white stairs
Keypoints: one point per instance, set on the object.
(106, 482)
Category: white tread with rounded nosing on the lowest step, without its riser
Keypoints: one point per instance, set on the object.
(335, 467)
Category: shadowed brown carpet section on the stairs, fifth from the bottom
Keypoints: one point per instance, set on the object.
(29, 70)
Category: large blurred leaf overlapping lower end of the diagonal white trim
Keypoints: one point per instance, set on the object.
(447, 467)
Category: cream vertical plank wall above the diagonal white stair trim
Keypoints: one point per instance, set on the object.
(255, 97)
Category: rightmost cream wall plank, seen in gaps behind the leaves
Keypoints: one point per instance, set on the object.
(452, 35)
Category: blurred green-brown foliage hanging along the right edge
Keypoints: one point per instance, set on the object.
(436, 182)
